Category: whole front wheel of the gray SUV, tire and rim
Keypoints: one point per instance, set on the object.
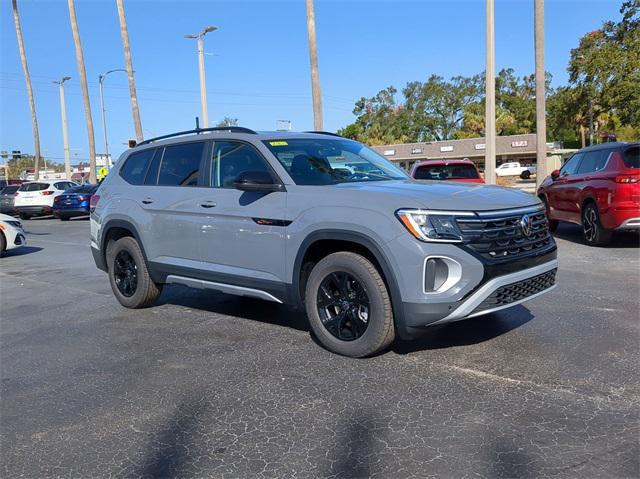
(348, 305)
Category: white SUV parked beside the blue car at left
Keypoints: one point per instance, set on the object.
(36, 197)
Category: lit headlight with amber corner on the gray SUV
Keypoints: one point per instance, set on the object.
(435, 226)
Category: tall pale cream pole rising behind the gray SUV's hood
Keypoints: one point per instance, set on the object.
(490, 98)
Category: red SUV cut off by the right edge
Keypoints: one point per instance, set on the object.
(598, 188)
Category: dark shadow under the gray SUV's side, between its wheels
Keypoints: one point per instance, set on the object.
(238, 306)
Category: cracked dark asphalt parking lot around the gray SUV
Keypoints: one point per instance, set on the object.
(208, 385)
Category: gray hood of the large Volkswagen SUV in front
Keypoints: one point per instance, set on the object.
(444, 195)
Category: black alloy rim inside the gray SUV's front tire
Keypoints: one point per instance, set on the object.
(343, 306)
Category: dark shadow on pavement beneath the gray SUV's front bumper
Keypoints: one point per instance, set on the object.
(466, 332)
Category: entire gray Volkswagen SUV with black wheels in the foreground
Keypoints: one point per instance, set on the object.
(317, 221)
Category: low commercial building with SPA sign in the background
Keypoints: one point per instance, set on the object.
(520, 148)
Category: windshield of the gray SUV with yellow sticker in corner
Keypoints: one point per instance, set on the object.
(327, 161)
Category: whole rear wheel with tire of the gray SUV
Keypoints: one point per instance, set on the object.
(128, 274)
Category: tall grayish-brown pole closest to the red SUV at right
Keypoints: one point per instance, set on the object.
(541, 119)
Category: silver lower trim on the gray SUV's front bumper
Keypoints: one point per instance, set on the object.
(465, 310)
